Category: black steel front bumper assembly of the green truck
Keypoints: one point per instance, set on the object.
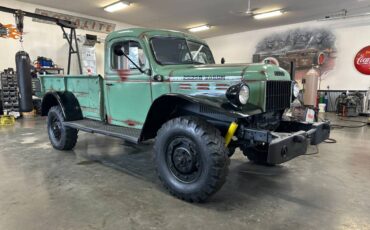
(290, 140)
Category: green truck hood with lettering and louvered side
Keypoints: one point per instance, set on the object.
(209, 83)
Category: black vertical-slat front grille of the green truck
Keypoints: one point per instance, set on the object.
(278, 95)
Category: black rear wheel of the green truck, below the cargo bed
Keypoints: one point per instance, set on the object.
(60, 136)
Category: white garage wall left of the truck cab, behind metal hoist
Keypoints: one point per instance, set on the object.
(46, 40)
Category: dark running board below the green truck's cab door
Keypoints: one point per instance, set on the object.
(91, 126)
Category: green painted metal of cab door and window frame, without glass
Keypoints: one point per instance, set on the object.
(127, 101)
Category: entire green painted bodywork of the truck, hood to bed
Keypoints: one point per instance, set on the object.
(126, 100)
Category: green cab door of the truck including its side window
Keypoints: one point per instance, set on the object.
(127, 90)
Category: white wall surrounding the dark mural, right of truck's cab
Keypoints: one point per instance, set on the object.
(352, 35)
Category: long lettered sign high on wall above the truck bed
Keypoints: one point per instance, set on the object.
(82, 23)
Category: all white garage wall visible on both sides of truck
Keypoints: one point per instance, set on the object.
(47, 40)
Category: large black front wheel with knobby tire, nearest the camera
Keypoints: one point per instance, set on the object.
(191, 159)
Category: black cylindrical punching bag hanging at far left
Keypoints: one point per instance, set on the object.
(23, 64)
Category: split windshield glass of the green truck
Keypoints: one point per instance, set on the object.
(177, 51)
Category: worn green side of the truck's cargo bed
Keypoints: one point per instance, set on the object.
(88, 90)
